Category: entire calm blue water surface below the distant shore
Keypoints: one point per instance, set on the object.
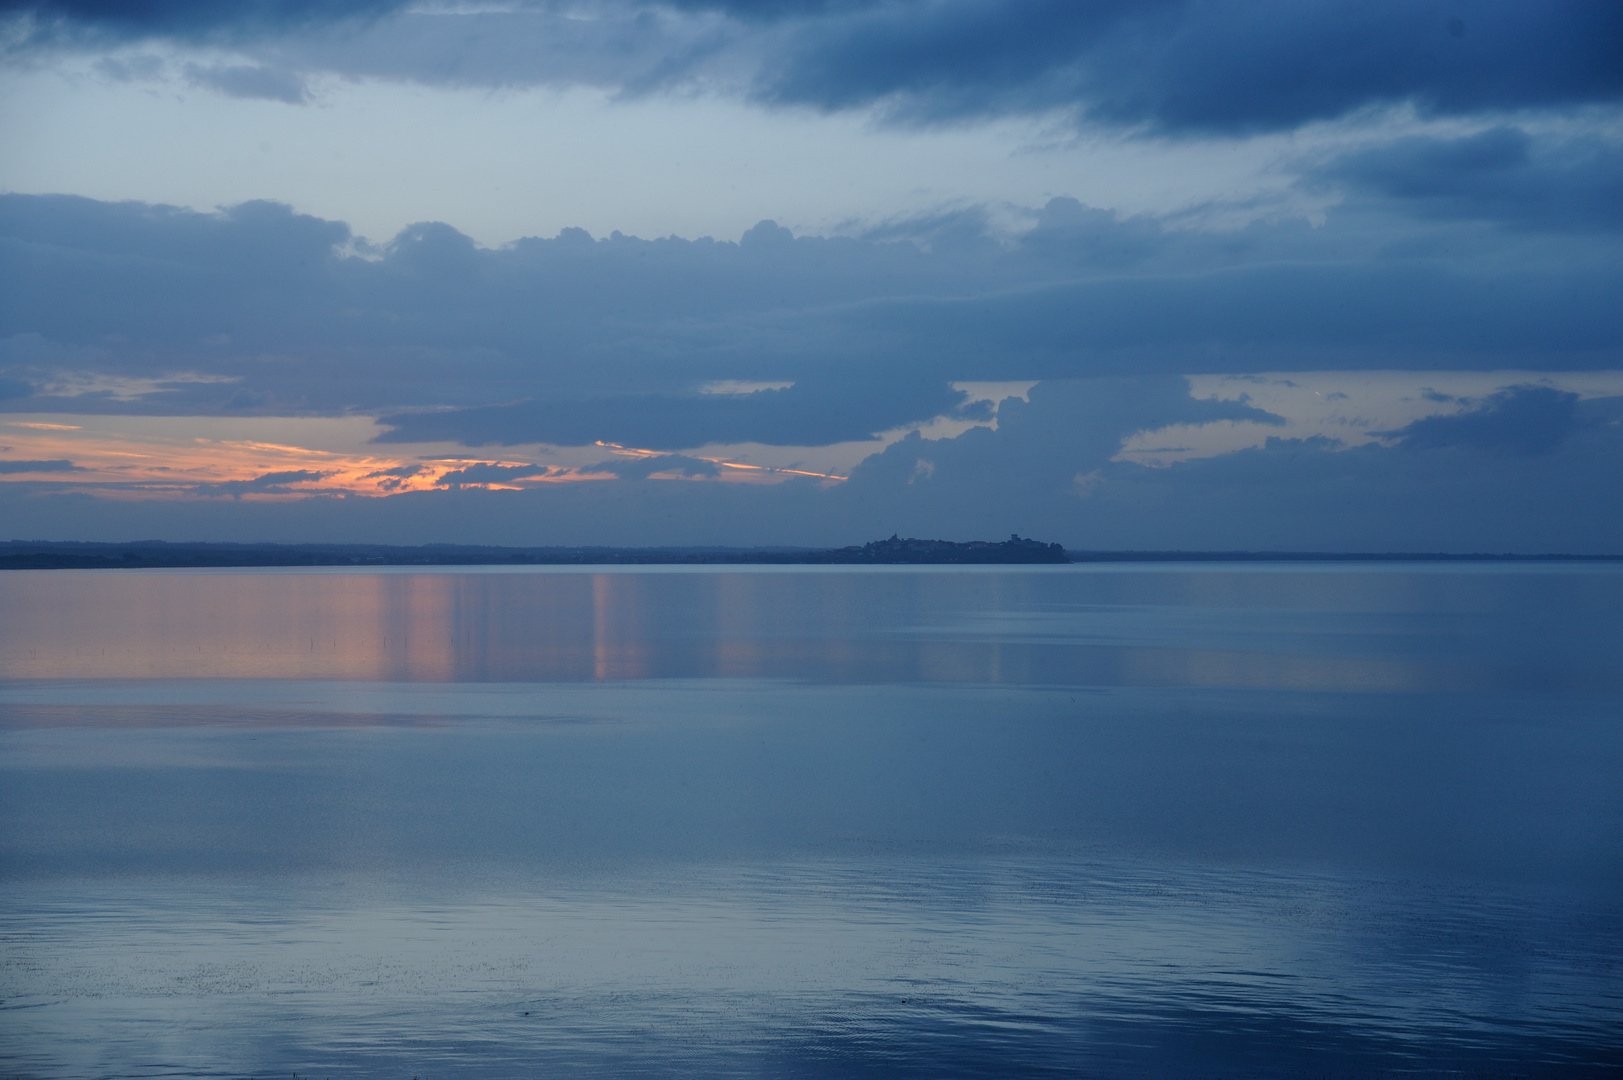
(916, 823)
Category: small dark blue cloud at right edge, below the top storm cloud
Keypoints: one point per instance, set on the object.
(1502, 176)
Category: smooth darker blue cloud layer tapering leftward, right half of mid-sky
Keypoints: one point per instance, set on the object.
(1242, 316)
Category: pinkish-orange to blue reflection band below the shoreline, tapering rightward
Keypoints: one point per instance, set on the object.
(608, 626)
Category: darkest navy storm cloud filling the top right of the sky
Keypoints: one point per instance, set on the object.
(1212, 67)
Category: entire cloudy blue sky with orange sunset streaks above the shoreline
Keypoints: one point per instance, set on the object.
(1199, 275)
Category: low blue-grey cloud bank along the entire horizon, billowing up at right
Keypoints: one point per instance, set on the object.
(1044, 473)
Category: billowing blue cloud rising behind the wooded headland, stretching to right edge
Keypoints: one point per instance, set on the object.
(1048, 472)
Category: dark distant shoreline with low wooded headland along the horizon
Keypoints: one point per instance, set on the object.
(161, 555)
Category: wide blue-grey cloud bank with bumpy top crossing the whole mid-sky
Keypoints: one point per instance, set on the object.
(575, 340)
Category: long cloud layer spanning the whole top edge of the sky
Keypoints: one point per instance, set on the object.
(1176, 66)
